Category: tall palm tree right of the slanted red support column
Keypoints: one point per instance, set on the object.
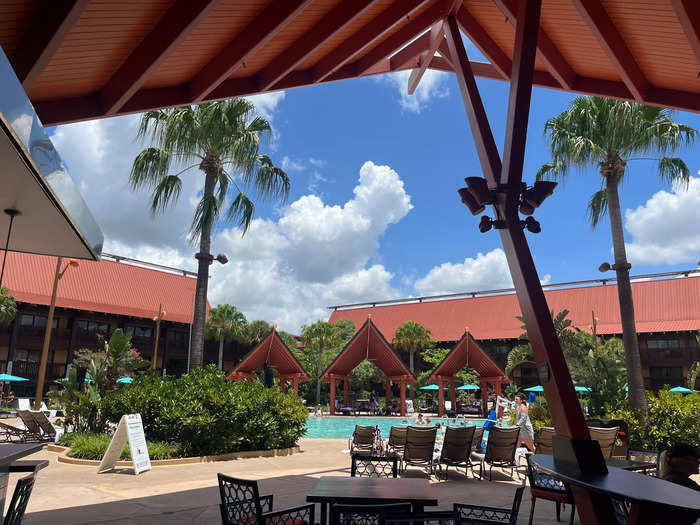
(607, 134)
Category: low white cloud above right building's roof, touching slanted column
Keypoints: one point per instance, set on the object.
(485, 272)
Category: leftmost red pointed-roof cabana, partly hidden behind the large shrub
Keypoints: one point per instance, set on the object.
(276, 354)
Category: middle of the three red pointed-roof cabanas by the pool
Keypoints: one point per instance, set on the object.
(368, 343)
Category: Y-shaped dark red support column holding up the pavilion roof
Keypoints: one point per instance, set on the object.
(506, 178)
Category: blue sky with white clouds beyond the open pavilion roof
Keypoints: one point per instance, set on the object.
(374, 211)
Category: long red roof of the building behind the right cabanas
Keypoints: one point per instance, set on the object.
(664, 305)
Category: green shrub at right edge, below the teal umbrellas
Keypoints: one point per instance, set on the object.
(673, 418)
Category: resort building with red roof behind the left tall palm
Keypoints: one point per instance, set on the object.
(95, 298)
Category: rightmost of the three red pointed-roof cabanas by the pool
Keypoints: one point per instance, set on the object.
(467, 352)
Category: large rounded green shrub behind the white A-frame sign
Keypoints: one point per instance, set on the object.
(206, 414)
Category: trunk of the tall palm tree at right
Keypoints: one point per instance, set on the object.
(635, 381)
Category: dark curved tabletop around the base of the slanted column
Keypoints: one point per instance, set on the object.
(644, 492)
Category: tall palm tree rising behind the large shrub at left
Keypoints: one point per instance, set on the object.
(222, 139)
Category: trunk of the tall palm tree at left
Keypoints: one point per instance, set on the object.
(204, 261)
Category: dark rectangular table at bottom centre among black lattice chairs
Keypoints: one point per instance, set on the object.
(371, 491)
